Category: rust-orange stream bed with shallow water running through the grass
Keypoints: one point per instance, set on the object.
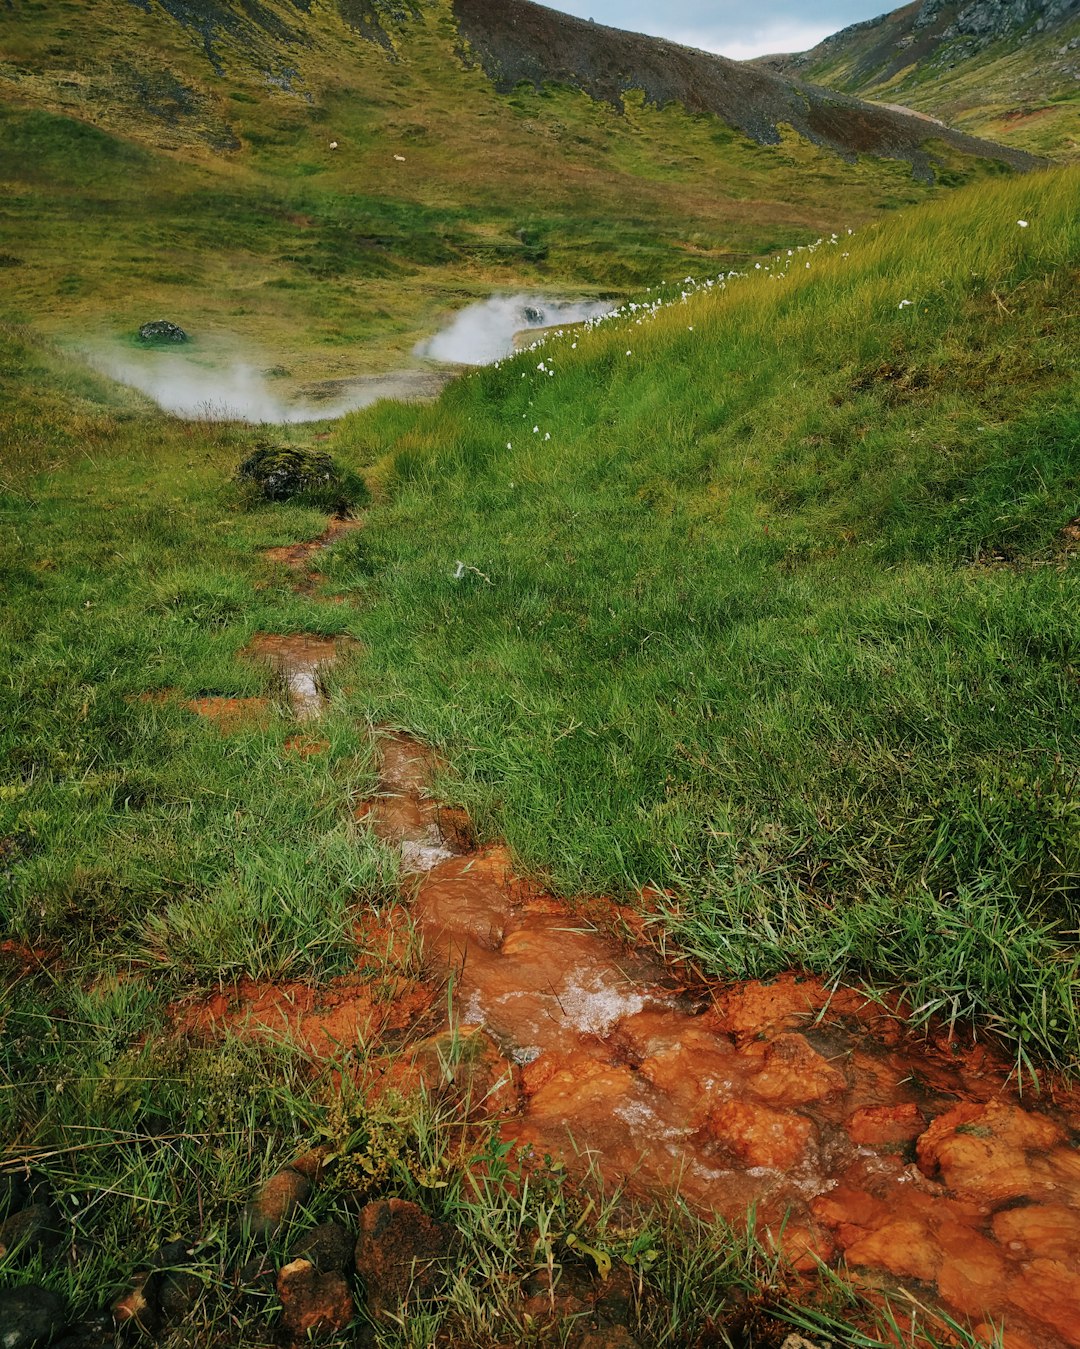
(913, 1159)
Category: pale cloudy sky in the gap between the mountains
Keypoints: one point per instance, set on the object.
(731, 28)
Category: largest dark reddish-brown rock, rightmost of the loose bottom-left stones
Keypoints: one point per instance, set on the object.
(398, 1254)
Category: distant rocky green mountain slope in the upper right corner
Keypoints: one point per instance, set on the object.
(1007, 69)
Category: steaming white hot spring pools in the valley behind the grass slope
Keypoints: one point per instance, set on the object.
(207, 381)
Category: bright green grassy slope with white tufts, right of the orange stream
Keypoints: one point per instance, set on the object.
(783, 616)
